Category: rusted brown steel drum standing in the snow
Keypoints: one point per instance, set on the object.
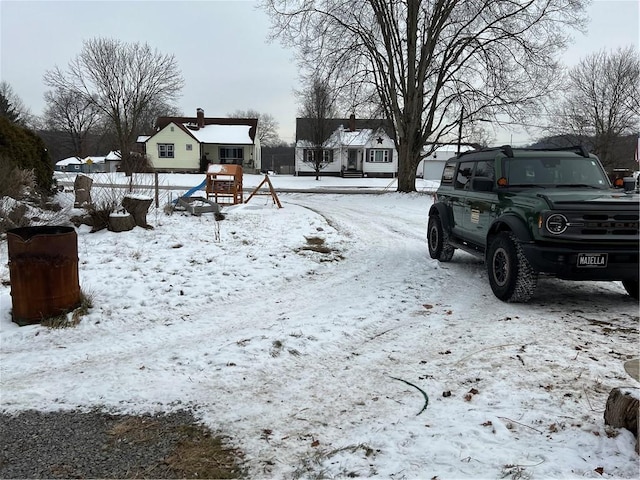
(43, 270)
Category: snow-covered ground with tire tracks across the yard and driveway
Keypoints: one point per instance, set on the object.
(367, 360)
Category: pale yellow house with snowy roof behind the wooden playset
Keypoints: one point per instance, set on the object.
(190, 144)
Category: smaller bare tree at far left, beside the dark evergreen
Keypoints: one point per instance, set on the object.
(72, 114)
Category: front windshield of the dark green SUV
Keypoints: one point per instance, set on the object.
(556, 172)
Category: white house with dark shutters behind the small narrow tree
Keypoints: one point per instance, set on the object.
(353, 147)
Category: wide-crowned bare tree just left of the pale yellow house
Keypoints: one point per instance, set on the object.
(121, 80)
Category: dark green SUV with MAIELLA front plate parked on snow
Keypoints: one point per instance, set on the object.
(528, 212)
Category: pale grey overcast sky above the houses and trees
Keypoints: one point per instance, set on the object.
(220, 47)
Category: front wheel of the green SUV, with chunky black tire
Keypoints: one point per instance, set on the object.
(511, 277)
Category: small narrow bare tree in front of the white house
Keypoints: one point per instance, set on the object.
(317, 106)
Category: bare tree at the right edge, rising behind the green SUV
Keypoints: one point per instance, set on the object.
(601, 101)
